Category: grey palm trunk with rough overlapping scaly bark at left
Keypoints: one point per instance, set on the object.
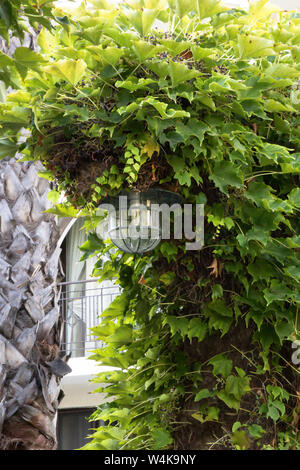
(30, 325)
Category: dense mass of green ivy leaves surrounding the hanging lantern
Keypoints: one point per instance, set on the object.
(194, 97)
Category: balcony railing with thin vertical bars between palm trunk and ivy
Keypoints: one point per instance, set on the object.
(81, 303)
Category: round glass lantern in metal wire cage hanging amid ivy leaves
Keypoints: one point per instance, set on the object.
(134, 226)
